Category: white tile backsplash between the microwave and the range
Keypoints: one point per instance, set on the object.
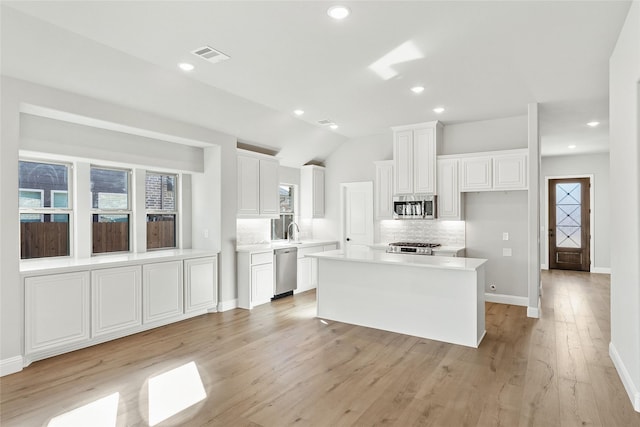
(447, 233)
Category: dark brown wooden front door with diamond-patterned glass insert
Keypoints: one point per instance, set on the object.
(569, 236)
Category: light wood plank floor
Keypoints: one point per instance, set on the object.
(278, 365)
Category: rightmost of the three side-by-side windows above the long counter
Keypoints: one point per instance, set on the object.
(162, 211)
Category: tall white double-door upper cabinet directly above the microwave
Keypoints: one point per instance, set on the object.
(414, 157)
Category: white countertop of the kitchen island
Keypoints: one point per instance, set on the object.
(376, 256)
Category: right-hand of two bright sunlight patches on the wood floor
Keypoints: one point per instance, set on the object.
(174, 391)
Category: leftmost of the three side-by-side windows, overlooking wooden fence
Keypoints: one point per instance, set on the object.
(45, 212)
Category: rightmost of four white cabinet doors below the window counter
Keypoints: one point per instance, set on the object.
(201, 283)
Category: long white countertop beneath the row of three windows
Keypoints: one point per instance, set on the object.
(60, 265)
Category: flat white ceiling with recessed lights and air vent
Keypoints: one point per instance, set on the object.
(479, 60)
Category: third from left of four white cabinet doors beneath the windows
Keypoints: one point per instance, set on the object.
(161, 291)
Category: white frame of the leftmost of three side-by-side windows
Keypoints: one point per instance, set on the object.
(52, 211)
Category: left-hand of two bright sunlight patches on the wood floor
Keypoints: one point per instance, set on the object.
(99, 413)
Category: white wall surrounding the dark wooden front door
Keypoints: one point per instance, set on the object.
(582, 165)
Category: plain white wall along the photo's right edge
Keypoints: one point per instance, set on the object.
(624, 110)
